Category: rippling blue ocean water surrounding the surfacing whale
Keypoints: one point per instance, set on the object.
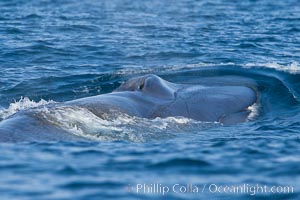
(55, 51)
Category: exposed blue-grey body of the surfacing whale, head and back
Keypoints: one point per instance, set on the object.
(147, 97)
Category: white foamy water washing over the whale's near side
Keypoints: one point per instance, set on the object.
(82, 122)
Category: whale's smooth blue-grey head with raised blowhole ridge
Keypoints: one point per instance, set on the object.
(224, 103)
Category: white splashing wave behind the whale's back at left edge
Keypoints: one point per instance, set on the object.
(23, 104)
